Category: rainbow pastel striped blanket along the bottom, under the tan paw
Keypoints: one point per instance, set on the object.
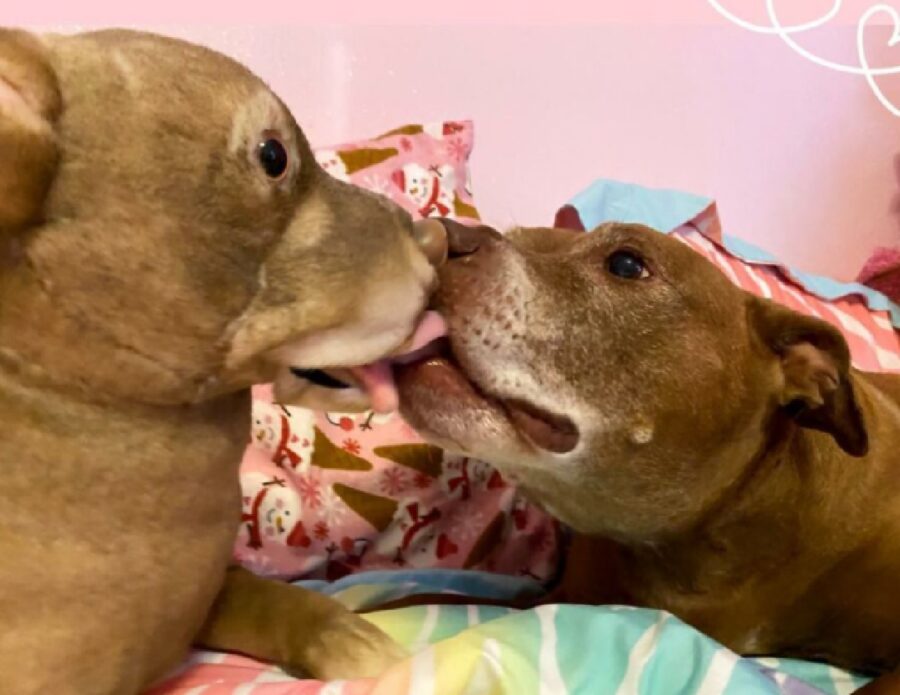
(551, 650)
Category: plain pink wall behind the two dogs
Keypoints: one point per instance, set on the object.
(800, 158)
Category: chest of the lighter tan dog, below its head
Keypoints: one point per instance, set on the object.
(84, 537)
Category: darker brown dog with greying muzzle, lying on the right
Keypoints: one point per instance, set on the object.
(718, 453)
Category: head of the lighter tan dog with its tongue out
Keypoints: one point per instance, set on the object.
(166, 233)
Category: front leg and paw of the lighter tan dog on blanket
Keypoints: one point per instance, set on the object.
(300, 630)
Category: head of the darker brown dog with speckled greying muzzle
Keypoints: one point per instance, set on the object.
(619, 376)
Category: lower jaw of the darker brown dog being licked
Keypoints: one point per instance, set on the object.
(446, 406)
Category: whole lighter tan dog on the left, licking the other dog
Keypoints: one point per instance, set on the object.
(166, 240)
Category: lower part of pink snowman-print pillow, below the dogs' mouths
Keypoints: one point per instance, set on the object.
(329, 494)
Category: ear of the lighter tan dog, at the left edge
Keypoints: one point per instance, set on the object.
(29, 104)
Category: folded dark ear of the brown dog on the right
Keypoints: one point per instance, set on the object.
(816, 390)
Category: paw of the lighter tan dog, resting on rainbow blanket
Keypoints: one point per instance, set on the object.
(348, 646)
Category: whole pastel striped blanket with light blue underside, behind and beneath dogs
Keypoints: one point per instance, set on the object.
(581, 650)
